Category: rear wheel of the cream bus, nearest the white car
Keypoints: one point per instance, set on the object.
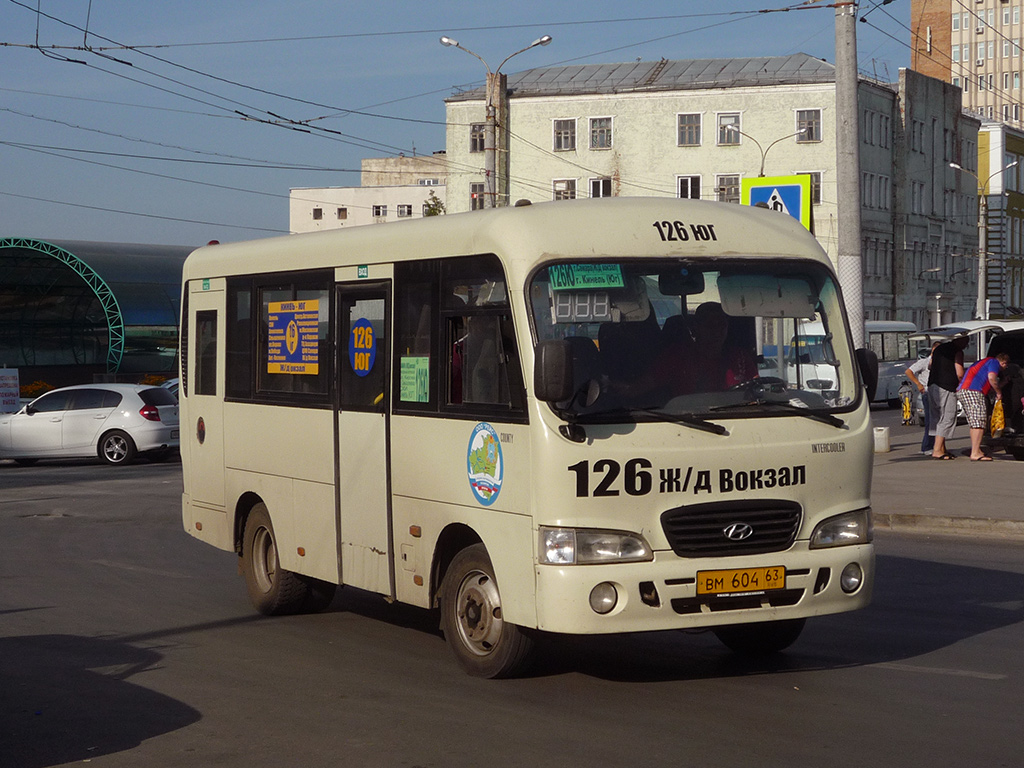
(273, 590)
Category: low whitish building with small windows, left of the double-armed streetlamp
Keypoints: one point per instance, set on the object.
(392, 190)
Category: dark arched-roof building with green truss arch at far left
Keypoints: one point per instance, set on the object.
(110, 307)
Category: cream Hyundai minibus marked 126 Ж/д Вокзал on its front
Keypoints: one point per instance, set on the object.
(539, 419)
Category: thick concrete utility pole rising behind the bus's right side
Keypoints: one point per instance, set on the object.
(851, 273)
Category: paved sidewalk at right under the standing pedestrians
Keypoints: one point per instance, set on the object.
(915, 493)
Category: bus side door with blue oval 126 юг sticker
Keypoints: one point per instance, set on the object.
(364, 478)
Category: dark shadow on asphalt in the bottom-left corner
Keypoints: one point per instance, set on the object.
(68, 700)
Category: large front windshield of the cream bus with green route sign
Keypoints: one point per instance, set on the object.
(653, 338)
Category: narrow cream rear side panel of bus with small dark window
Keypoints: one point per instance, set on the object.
(202, 423)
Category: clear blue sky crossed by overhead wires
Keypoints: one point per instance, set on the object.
(205, 133)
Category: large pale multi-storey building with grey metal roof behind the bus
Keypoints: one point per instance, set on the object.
(696, 129)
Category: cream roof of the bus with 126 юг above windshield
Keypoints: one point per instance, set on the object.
(526, 236)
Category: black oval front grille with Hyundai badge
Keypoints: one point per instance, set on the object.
(720, 530)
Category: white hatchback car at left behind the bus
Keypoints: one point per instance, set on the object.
(112, 421)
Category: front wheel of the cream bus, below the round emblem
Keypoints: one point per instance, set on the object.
(483, 643)
